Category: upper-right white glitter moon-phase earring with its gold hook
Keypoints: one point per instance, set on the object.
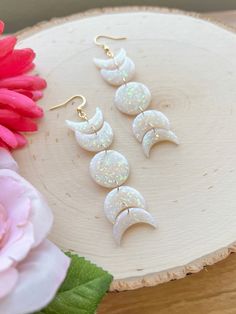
(133, 98)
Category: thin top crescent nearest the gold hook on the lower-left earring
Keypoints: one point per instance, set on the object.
(90, 126)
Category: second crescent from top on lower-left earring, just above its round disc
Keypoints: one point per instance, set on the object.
(98, 141)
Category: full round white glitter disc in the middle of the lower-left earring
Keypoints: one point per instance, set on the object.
(109, 169)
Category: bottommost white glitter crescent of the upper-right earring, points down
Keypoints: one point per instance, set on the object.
(156, 136)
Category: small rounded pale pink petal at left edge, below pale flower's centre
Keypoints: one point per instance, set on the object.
(8, 280)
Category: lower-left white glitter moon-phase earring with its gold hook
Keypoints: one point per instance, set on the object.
(124, 206)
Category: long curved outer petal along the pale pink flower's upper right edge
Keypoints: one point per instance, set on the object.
(41, 215)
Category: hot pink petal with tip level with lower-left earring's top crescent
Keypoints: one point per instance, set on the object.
(14, 121)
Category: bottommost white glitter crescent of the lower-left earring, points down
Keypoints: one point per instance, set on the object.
(128, 218)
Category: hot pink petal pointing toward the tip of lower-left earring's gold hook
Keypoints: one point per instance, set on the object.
(20, 103)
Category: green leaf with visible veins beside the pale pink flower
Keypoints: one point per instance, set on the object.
(82, 290)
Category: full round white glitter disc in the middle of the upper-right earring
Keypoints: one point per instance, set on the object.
(132, 98)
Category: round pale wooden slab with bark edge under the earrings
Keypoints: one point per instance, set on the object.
(189, 65)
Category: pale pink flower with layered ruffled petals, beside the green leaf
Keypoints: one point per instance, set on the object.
(31, 267)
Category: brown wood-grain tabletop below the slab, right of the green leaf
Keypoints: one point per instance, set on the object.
(212, 291)
